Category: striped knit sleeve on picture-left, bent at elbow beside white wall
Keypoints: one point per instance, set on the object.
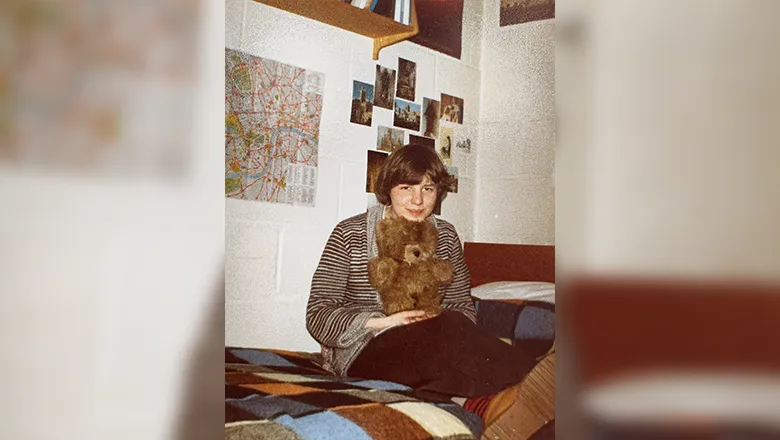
(331, 319)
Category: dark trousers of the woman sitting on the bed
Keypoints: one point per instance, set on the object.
(446, 355)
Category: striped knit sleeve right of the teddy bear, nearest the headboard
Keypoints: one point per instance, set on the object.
(457, 295)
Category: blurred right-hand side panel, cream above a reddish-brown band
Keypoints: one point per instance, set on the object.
(668, 219)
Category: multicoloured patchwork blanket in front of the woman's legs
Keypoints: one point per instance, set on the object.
(275, 394)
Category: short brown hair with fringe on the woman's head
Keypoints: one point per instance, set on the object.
(409, 165)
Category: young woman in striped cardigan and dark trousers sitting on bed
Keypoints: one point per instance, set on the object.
(439, 356)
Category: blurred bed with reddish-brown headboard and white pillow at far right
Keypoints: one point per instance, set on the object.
(694, 358)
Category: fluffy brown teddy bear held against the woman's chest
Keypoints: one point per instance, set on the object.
(406, 272)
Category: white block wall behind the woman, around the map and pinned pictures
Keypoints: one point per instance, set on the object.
(273, 249)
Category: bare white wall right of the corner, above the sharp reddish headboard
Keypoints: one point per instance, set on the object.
(516, 146)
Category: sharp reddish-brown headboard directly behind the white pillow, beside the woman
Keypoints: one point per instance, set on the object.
(489, 262)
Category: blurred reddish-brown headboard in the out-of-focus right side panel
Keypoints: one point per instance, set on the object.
(628, 325)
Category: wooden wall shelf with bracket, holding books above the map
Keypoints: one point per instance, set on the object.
(384, 31)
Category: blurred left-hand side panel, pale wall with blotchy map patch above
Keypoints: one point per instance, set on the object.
(112, 217)
